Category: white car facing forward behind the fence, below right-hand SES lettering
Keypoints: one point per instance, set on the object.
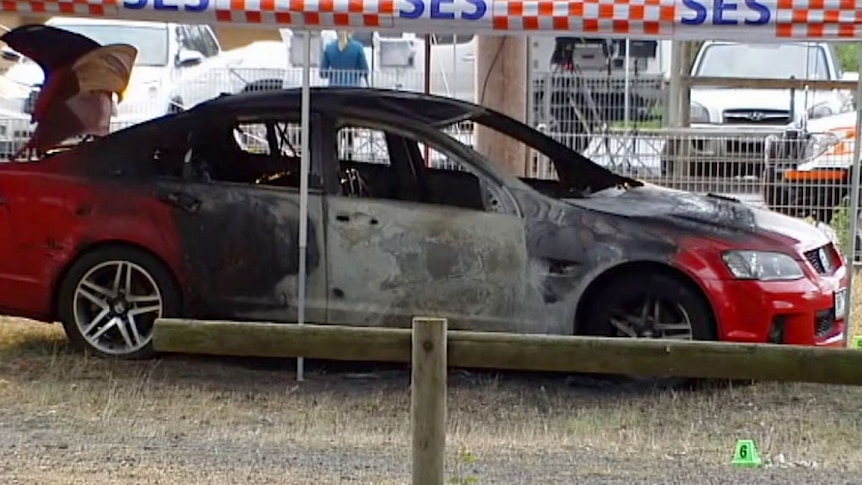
(735, 121)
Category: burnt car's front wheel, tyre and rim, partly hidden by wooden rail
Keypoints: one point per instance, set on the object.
(649, 306)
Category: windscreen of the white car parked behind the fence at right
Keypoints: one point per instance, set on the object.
(763, 61)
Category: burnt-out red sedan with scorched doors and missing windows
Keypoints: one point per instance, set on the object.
(196, 215)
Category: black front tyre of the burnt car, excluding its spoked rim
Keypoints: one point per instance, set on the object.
(627, 291)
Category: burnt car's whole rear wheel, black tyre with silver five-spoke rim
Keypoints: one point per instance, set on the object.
(112, 319)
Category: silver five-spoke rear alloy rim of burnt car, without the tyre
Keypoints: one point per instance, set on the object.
(115, 305)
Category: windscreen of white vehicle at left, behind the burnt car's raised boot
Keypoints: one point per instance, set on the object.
(151, 42)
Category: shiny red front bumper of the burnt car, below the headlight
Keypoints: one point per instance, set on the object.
(800, 312)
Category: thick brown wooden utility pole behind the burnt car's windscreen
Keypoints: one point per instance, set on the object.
(501, 84)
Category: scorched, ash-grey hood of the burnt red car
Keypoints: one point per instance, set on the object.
(708, 214)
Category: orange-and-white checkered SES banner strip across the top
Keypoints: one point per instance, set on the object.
(753, 20)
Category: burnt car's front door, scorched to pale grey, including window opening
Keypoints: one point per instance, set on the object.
(403, 241)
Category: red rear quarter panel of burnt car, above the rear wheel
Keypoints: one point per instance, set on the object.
(55, 218)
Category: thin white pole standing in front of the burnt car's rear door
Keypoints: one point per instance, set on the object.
(303, 188)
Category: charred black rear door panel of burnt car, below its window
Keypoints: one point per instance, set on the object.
(240, 248)
